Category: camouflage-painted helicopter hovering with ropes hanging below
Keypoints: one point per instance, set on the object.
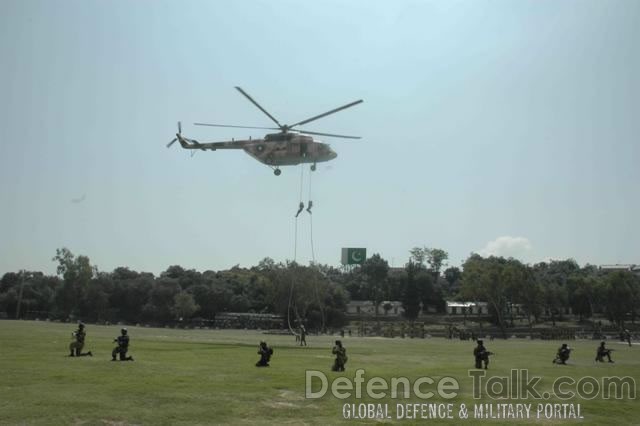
(288, 147)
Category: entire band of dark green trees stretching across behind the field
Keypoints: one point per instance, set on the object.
(317, 295)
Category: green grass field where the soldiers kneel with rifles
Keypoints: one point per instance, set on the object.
(209, 377)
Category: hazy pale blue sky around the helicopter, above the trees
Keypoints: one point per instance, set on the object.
(491, 126)
